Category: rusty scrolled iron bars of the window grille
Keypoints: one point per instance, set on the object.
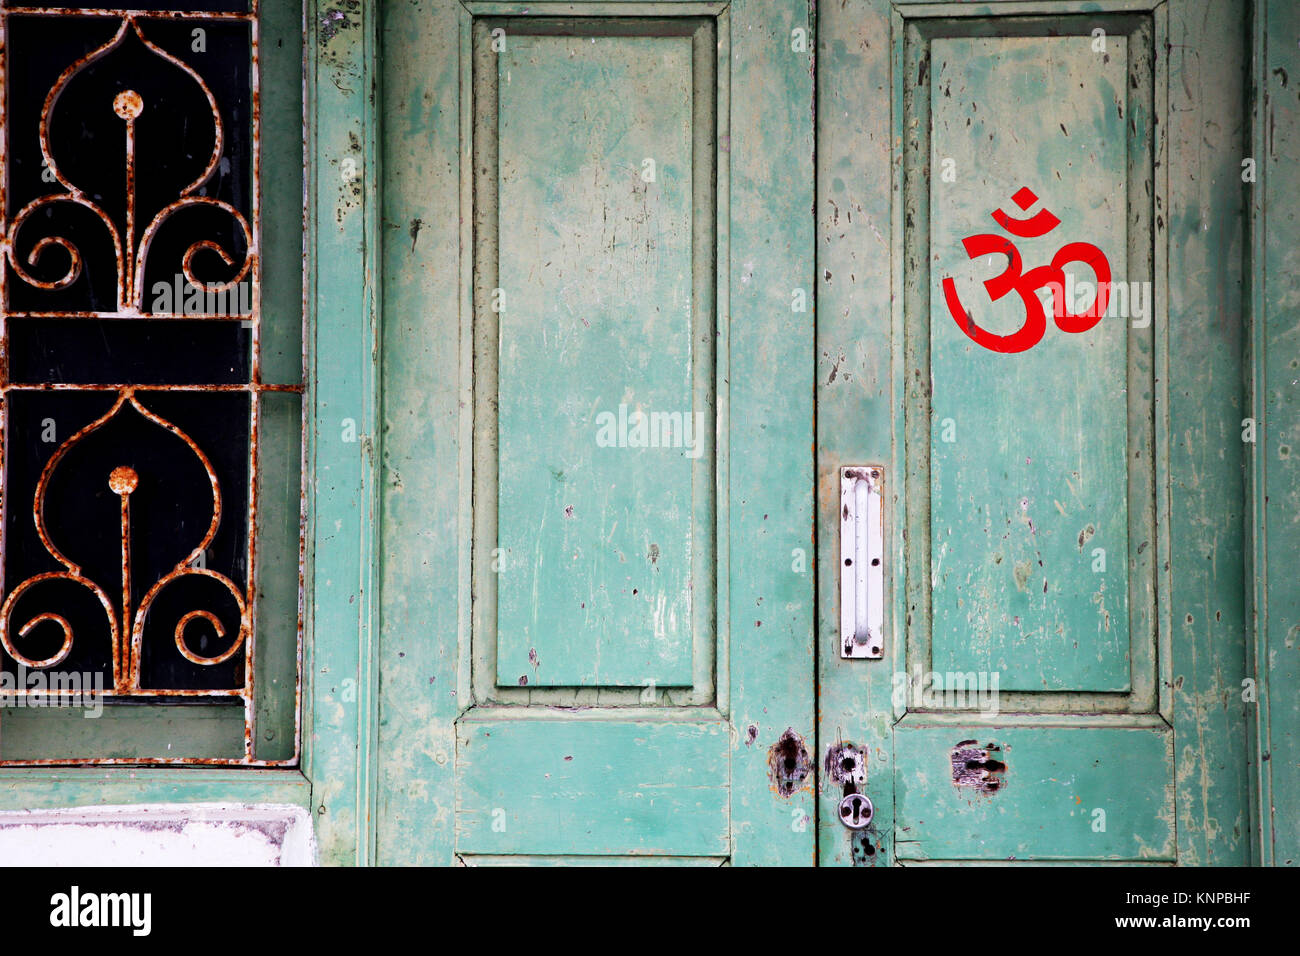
(131, 300)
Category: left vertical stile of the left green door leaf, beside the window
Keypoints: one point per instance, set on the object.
(426, 412)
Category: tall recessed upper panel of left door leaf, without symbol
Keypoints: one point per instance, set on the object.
(601, 434)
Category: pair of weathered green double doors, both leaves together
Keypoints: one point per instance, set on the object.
(603, 508)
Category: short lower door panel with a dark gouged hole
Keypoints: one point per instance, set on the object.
(1058, 798)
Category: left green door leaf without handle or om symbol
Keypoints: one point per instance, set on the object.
(597, 507)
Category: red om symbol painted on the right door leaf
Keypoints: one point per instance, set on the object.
(1030, 283)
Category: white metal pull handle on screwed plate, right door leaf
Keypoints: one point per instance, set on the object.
(863, 574)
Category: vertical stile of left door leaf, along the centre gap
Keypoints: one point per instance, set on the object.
(772, 534)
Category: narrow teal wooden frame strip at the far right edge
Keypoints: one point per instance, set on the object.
(1276, 485)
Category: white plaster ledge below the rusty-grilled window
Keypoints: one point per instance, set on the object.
(159, 836)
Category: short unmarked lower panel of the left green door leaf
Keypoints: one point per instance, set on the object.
(593, 788)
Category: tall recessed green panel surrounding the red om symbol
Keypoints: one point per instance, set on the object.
(1028, 474)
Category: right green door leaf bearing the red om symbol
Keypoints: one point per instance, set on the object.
(1063, 629)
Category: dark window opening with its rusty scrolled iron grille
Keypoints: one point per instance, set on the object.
(131, 354)
